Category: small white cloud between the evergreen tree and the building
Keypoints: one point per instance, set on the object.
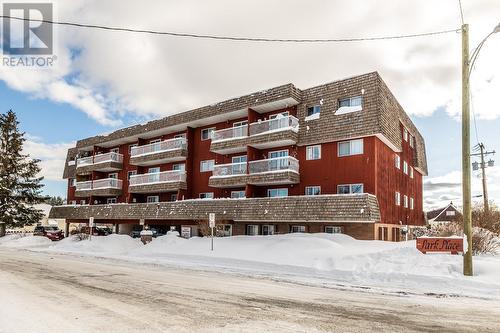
(52, 156)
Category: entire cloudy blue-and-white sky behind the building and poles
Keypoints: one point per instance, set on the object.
(105, 80)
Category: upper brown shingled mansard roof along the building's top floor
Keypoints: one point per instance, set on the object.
(381, 115)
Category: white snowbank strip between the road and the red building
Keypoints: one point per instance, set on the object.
(316, 259)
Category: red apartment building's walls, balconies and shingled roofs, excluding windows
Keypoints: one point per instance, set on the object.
(381, 125)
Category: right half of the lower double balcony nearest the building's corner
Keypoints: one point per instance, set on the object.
(273, 171)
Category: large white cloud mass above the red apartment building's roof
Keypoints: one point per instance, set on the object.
(113, 73)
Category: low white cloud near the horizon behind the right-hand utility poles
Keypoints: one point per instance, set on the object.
(439, 191)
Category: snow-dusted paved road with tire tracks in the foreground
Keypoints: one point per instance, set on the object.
(42, 292)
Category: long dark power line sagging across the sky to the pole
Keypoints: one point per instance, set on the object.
(219, 37)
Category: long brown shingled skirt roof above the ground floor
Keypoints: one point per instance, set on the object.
(325, 208)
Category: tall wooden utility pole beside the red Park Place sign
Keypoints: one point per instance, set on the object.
(466, 172)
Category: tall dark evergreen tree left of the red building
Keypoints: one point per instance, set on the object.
(20, 188)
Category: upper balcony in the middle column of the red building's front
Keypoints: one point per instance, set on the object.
(172, 150)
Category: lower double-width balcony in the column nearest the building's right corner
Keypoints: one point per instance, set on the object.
(273, 171)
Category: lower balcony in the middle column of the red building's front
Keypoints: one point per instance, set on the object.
(158, 182)
